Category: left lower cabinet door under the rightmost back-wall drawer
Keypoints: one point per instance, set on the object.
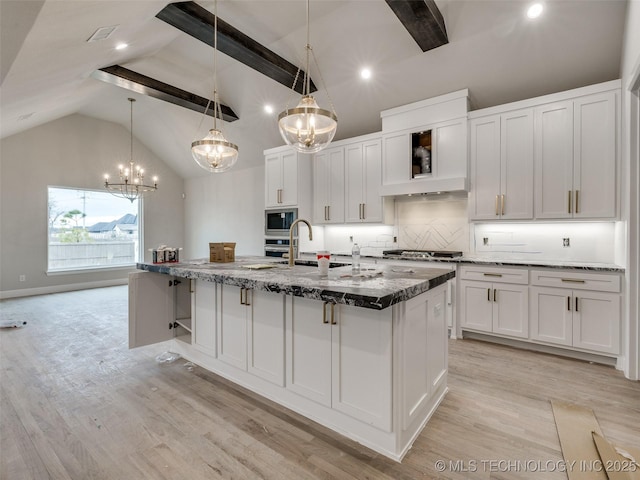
(551, 319)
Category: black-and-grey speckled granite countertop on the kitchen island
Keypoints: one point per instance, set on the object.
(378, 287)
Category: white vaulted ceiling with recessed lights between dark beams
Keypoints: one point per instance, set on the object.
(493, 50)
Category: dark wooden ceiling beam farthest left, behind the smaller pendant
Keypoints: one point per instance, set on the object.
(136, 82)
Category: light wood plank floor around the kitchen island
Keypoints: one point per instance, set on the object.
(77, 404)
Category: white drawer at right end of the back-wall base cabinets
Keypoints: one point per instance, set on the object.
(601, 282)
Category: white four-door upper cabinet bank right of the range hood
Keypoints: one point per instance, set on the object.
(551, 157)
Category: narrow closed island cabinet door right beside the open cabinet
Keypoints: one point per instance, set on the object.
(204, 317)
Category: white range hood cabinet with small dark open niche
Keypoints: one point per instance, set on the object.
(424, 146)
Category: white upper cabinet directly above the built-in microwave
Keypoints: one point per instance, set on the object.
(288, 179)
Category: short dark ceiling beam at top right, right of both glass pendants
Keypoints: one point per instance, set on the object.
(423, 21)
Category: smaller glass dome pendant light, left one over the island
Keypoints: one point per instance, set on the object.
(214, 153)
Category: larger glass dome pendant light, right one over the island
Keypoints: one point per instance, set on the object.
(307, 127)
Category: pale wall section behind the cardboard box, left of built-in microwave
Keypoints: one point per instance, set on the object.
(225, 207)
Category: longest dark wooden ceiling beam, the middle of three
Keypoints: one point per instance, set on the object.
(197, 21)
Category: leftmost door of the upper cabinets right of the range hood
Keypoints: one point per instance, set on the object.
(485, 168)
